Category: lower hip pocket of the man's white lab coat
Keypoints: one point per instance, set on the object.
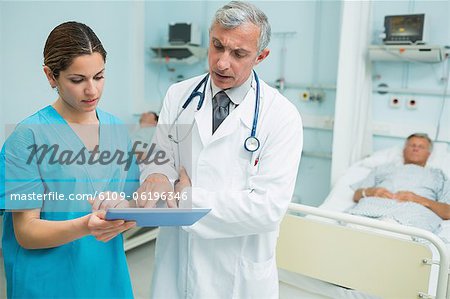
(257, 279)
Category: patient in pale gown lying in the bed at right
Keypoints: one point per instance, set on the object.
(410, 194)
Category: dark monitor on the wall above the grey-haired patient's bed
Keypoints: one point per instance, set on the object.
(404, 28)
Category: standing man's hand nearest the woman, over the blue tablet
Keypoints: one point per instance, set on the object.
(155, 187)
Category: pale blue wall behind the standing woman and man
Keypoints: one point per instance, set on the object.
(134, 83)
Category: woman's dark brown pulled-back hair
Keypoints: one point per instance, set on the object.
(66, 42)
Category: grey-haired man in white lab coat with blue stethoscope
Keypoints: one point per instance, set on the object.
(230, 253)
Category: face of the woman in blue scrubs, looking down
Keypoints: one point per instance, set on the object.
(80, 86)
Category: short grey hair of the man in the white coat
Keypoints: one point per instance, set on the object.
(237, 13)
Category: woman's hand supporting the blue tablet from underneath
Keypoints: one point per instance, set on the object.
(104, 230)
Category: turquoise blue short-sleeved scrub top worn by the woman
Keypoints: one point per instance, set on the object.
(84, 268)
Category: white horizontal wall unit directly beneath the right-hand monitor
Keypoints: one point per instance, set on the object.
(420, 53)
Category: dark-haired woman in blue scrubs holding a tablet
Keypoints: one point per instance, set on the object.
(52, 166)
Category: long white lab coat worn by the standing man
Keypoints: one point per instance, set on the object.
(230, 253)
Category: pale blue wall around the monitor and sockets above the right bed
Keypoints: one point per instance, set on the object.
(422, 76)
